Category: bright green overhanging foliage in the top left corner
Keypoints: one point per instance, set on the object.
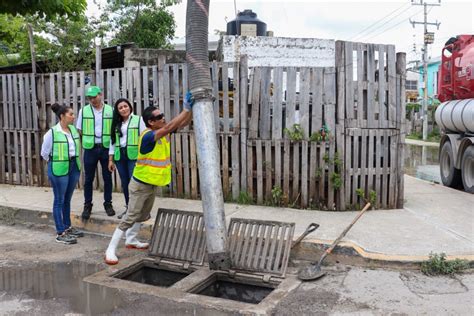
(44, 8)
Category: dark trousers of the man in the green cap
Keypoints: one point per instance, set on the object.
(91, 158)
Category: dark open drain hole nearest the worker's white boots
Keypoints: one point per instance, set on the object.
(154, 276)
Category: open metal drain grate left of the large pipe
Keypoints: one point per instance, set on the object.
(179, 235)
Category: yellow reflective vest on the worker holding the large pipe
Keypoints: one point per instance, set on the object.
(155, 167)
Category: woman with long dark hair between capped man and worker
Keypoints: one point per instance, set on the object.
(123, 150)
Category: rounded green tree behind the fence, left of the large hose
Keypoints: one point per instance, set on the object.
(143, 22)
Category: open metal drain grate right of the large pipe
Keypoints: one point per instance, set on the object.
(260, 246)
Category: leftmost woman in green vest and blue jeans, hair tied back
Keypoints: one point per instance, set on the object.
(60, 148)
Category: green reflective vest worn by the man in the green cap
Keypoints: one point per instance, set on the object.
(88, 126)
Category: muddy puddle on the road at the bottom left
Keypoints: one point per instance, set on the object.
(60, 281)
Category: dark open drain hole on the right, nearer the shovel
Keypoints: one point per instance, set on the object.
(246, 293)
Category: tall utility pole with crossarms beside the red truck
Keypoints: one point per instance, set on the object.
(428, 39)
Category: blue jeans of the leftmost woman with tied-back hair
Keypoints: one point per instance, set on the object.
(63, 187)
